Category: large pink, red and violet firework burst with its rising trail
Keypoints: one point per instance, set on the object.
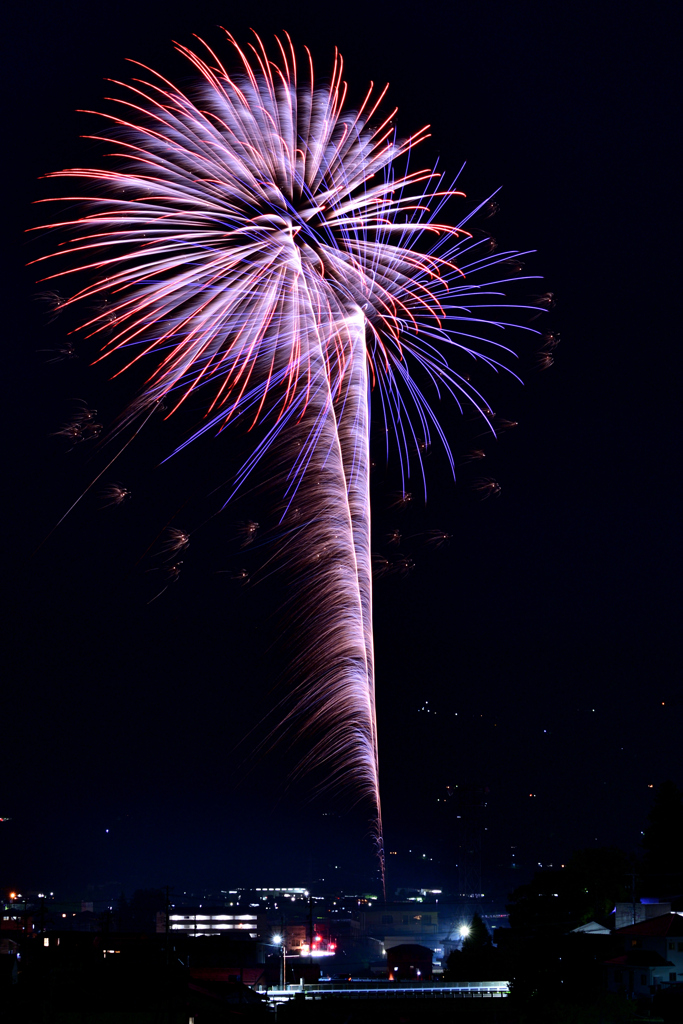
(257, 245)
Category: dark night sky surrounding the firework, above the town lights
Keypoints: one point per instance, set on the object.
(545, 638)
